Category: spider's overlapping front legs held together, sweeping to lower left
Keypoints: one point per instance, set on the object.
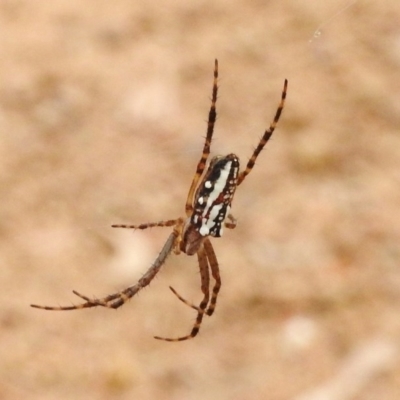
(118, 299)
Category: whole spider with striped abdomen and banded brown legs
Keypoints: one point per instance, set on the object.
(207, 211)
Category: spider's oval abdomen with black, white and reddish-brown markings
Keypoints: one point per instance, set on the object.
(214, 195)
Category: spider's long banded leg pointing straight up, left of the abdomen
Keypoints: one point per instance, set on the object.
(212, 116)
